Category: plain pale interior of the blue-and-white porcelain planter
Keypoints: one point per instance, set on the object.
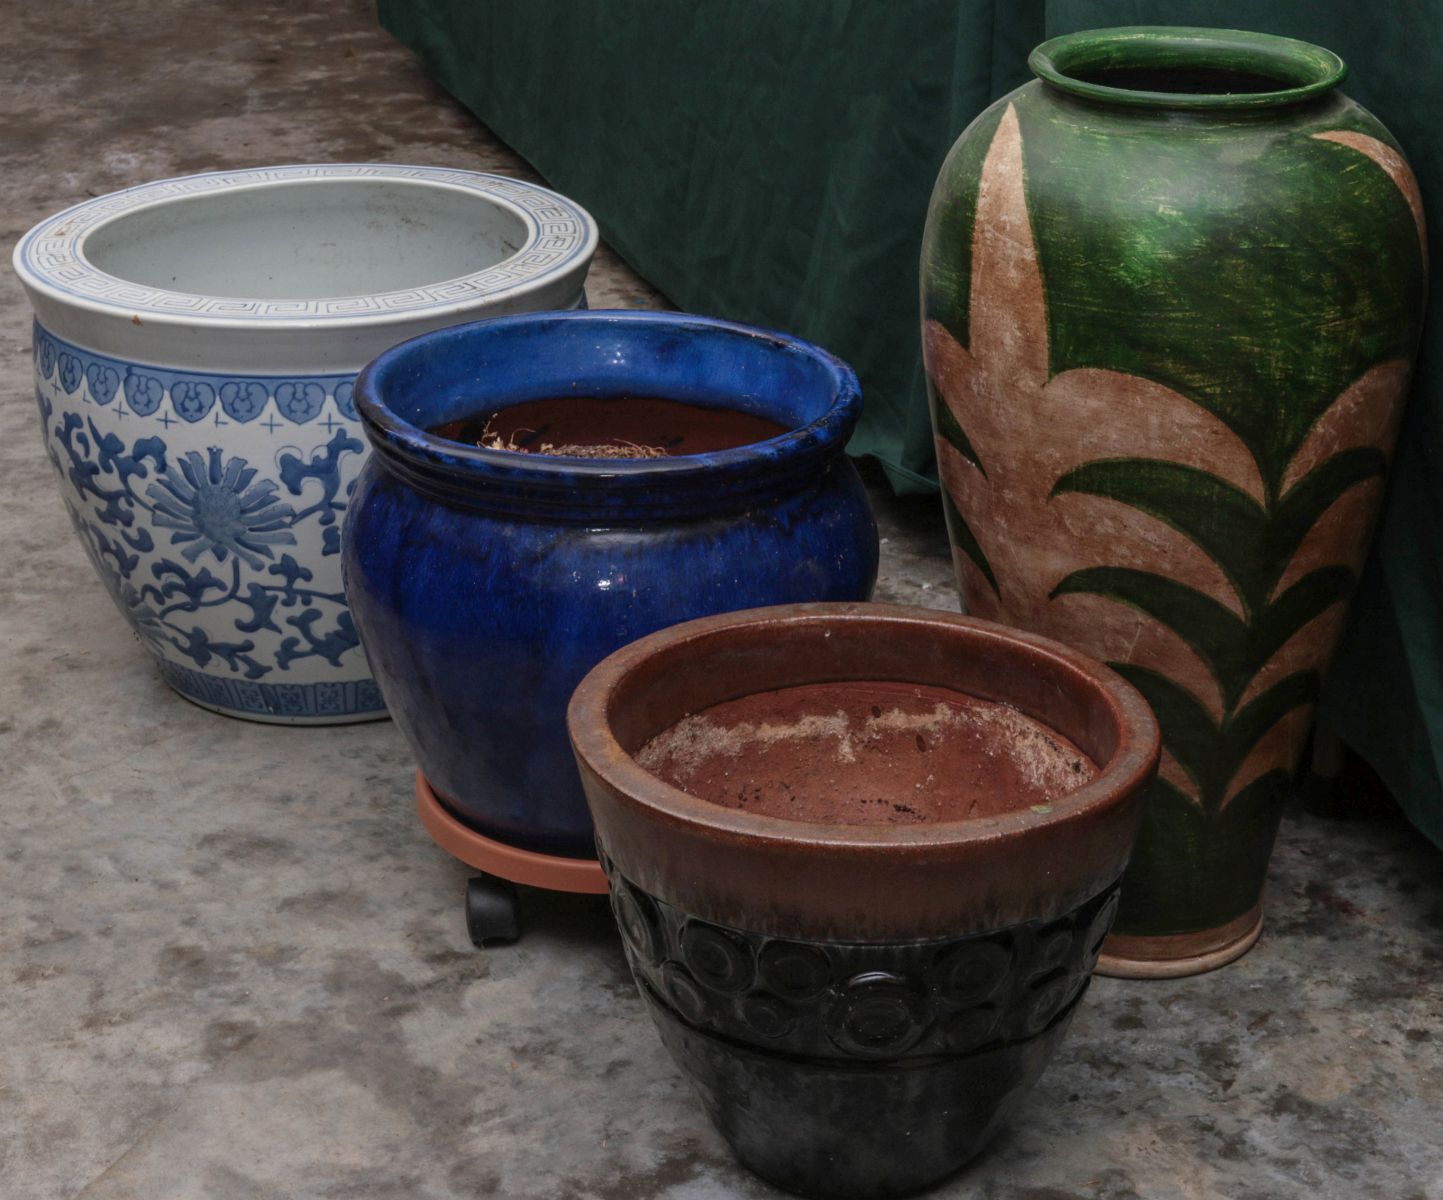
(308, 240)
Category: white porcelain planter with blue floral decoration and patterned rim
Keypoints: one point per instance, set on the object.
(196, 348)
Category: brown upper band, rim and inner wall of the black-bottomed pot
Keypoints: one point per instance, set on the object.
(861, 882)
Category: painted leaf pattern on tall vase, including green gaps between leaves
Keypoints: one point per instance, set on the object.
(1123, 517)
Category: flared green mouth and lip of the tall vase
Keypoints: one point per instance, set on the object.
(1181, 67)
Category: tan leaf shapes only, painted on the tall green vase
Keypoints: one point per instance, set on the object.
(1028, 431)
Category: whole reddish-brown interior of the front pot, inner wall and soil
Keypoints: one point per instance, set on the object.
(867, 722)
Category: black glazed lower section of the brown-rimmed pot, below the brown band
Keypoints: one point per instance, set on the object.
(858, 1069)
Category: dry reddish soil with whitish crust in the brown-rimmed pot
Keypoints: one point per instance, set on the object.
(868, 754)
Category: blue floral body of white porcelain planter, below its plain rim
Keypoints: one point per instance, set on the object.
(193, 540)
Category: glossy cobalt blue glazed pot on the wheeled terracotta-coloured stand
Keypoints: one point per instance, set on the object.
(487, 583)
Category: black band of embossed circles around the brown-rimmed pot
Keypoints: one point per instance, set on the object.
(842, 1000)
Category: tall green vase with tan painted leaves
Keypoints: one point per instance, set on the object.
(1172, 294)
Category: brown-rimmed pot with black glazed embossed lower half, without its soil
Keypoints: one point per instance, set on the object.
(859, 1006)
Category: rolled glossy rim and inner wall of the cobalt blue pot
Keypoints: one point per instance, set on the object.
(486, 366)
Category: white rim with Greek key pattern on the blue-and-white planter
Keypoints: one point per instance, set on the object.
(558, 239)
